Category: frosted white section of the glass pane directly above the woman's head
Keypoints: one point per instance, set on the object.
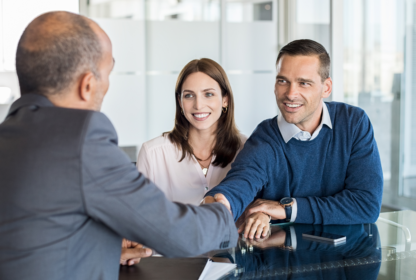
(170, 45)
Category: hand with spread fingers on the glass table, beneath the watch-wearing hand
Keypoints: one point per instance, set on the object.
(255, 225)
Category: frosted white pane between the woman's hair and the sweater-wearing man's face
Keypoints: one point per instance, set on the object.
(251, 51)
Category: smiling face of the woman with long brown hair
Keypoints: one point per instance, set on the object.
(201, 101)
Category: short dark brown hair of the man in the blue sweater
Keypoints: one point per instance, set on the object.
(308, 47)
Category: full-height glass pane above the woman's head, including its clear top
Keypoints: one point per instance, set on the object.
(176, 33)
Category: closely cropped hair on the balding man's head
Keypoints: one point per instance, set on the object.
(55, 50)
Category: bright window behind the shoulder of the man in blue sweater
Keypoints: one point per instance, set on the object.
(379, 67)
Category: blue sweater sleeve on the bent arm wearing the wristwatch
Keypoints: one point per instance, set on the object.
(360, 200)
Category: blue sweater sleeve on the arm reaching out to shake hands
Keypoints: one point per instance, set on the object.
(249, 172)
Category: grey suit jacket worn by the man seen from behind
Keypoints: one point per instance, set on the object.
(68, 195)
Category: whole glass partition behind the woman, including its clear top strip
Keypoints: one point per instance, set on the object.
(153, 40)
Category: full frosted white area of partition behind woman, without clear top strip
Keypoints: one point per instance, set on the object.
(142, 108)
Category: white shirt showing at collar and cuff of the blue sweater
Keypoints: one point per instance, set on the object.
(290, 130)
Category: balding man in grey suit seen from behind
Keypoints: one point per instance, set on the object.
(67, 193)
